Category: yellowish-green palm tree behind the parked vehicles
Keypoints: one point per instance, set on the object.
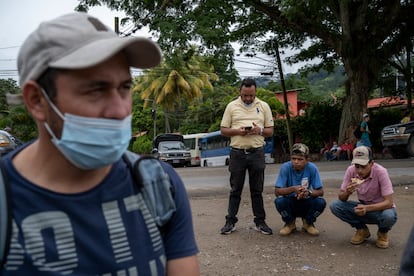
(183, 75)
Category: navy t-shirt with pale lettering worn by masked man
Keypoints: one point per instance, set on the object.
(98, 232)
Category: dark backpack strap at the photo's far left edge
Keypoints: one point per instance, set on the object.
(5, 216)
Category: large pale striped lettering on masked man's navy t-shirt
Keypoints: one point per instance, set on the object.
(54, 227)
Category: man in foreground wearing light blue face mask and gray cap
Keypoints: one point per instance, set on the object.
(76, 209)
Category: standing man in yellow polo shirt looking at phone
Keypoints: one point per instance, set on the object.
(247, 120)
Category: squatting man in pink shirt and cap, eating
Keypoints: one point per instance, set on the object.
(375, 205)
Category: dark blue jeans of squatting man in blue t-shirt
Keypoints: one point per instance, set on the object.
(290, 208)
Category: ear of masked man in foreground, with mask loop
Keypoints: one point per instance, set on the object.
(35, 101)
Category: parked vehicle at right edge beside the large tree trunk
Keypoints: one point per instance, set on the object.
(399, 139)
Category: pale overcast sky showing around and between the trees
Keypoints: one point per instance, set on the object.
(18, 18)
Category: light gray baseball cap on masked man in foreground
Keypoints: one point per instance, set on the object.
(76, 41)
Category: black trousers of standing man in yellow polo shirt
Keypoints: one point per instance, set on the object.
(254, 163)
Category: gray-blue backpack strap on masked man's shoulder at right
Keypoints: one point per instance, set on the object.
(155, 186)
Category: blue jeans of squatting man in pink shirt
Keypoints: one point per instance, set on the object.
(344, 210)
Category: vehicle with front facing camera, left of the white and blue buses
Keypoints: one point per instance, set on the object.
(170, 148)
